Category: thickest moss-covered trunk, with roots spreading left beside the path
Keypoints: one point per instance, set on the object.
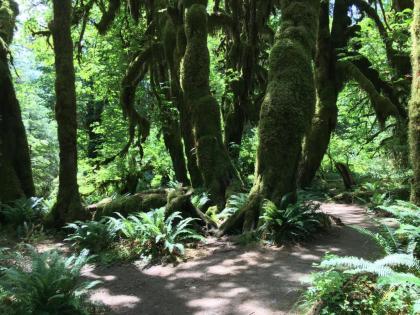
(286, 111)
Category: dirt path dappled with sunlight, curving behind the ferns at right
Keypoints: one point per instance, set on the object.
(229, 279)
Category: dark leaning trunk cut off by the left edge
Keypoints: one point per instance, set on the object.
(15, 164)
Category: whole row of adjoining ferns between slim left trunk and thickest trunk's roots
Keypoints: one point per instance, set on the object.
(148, 234)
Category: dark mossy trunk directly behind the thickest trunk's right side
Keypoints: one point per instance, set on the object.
(325, 120)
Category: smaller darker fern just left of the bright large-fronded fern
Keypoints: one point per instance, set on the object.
(93, 235)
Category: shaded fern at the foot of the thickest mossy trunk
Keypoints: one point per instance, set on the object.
(295, 223)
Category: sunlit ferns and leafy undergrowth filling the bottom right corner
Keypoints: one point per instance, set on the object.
(352, 285)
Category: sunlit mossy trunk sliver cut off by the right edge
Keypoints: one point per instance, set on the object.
(414, 107)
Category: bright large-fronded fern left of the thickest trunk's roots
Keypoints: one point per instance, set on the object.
(159, 238)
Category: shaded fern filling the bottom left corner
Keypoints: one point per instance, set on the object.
(51, 285)
